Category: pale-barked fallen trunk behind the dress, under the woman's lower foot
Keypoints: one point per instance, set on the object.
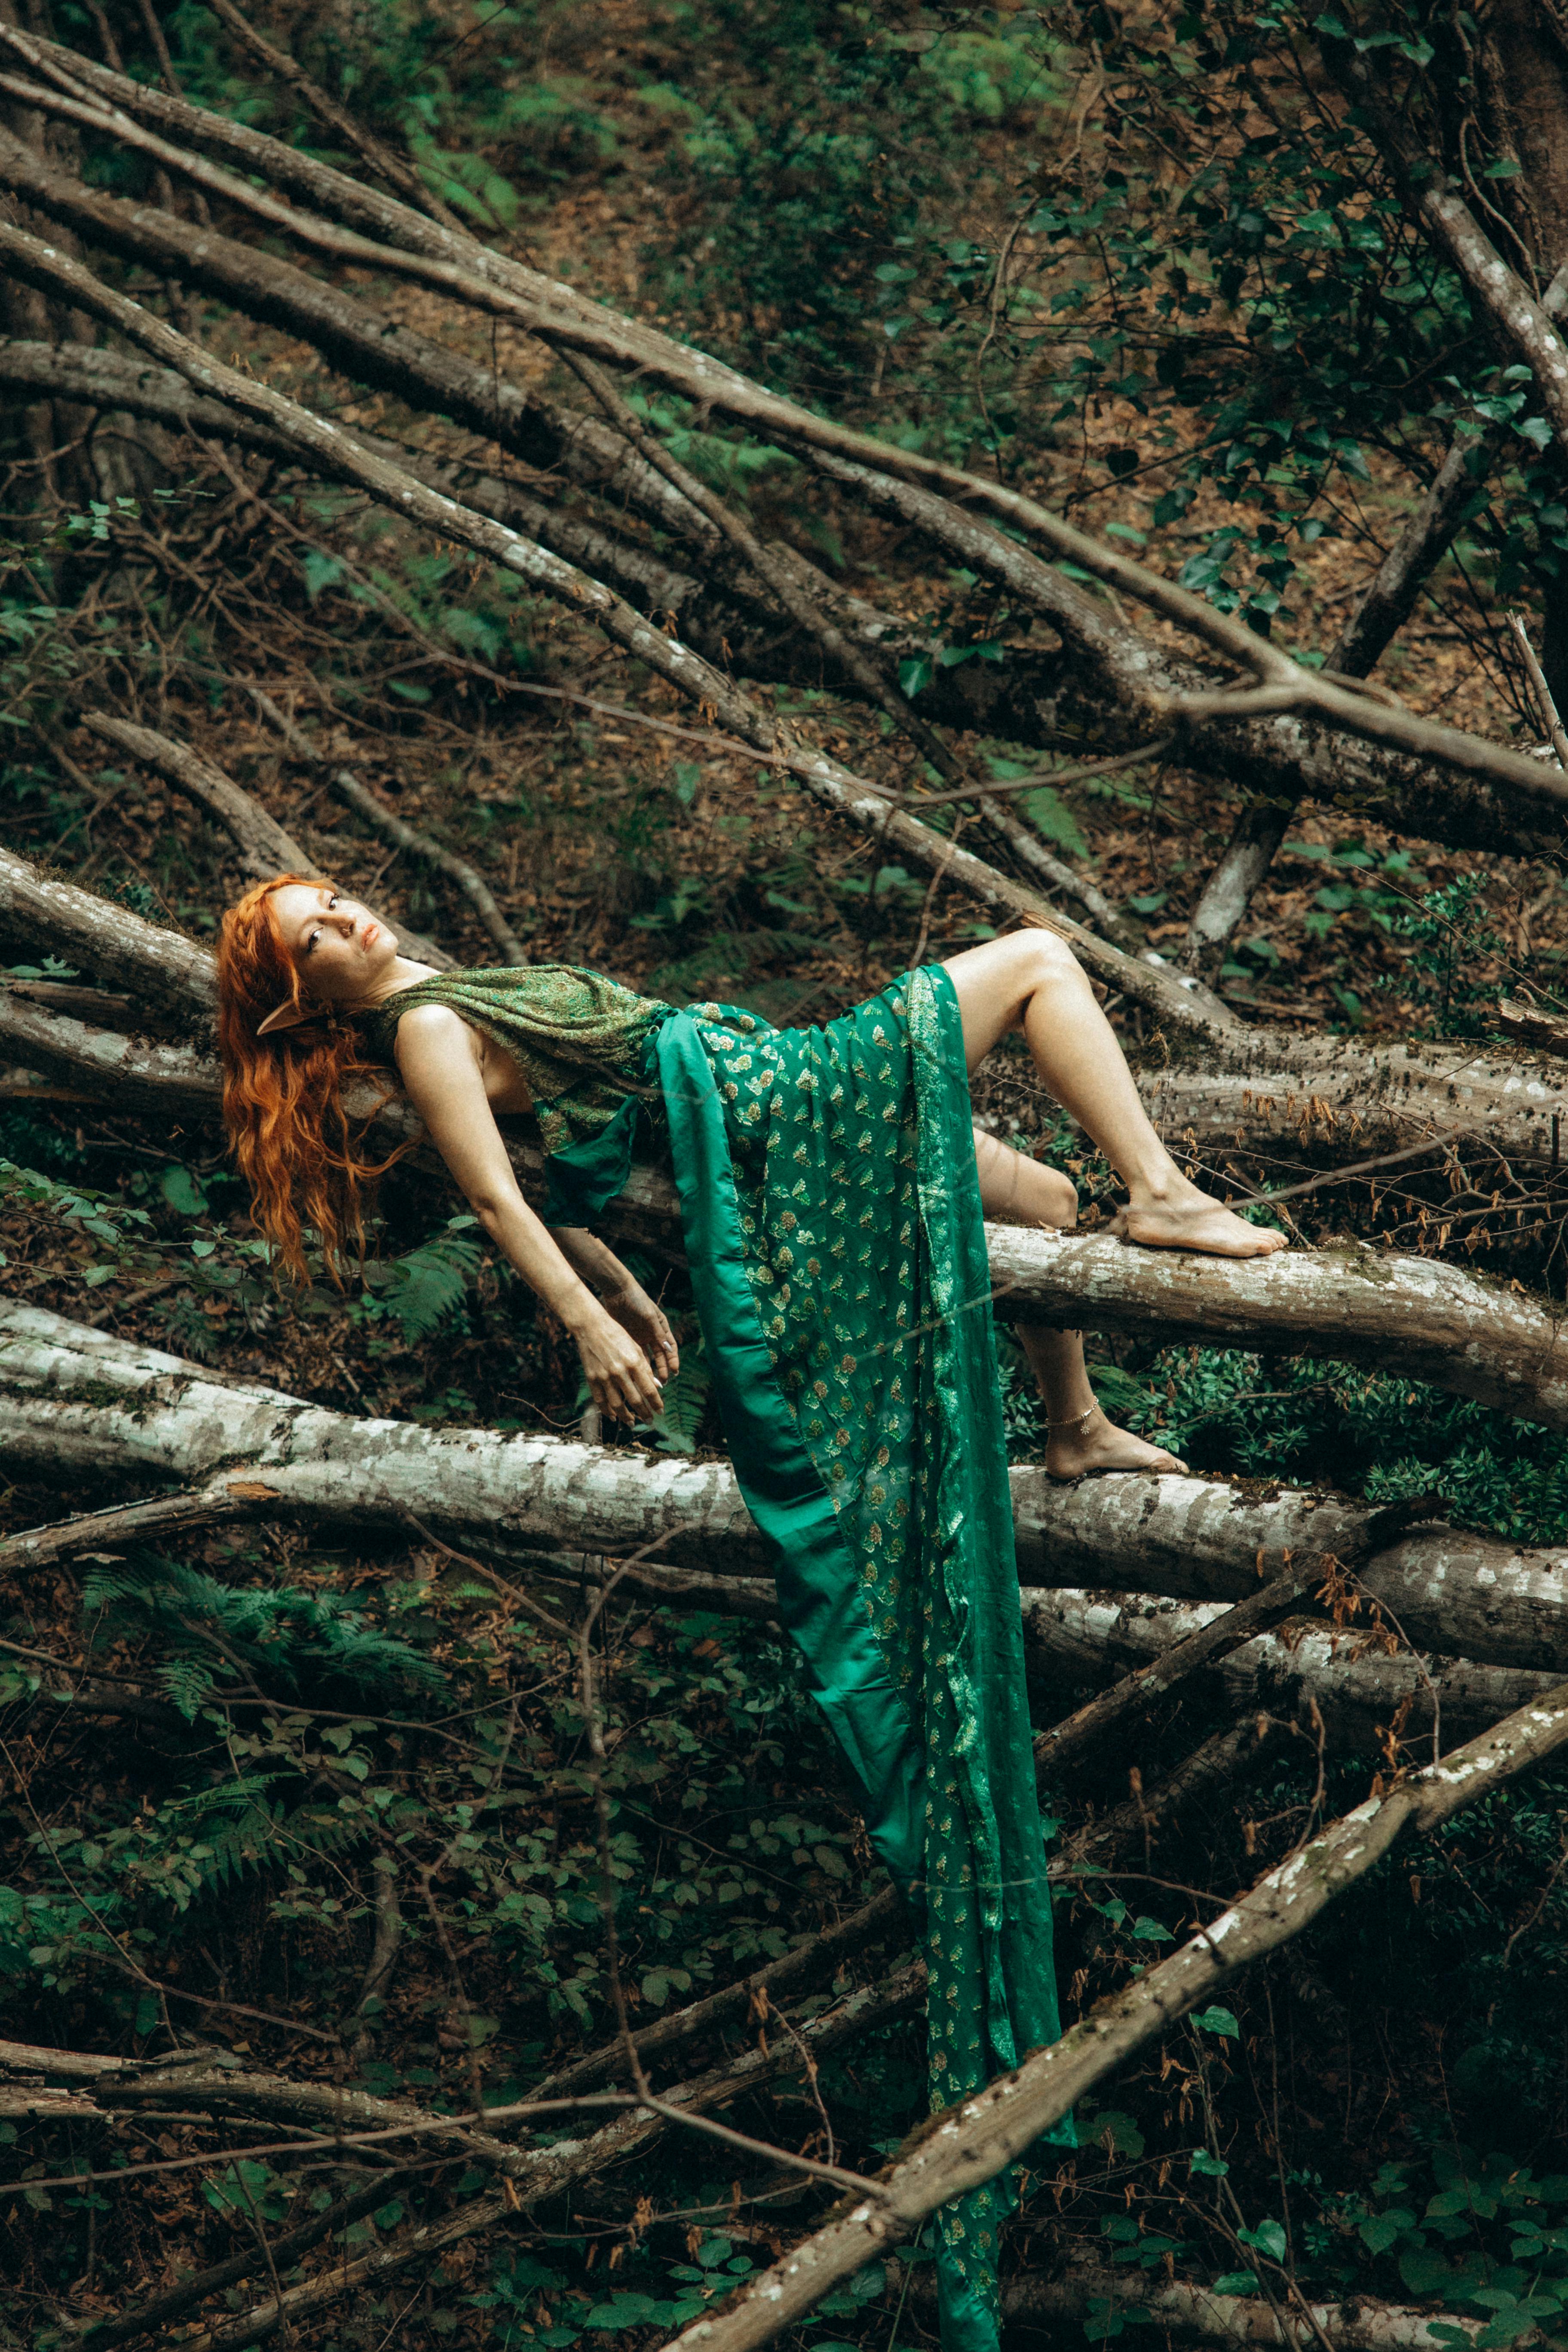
(88, 1405)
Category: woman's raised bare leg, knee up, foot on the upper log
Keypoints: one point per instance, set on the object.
(1036, 982)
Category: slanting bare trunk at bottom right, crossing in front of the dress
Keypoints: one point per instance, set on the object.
(979, 2139)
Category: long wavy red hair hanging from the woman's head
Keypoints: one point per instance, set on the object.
(283, 1095)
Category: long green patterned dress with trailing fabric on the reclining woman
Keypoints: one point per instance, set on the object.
(838, 1257)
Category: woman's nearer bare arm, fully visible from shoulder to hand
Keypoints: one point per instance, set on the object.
(441, 1074)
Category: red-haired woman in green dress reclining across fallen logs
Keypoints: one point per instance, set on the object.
(833, 1198)
